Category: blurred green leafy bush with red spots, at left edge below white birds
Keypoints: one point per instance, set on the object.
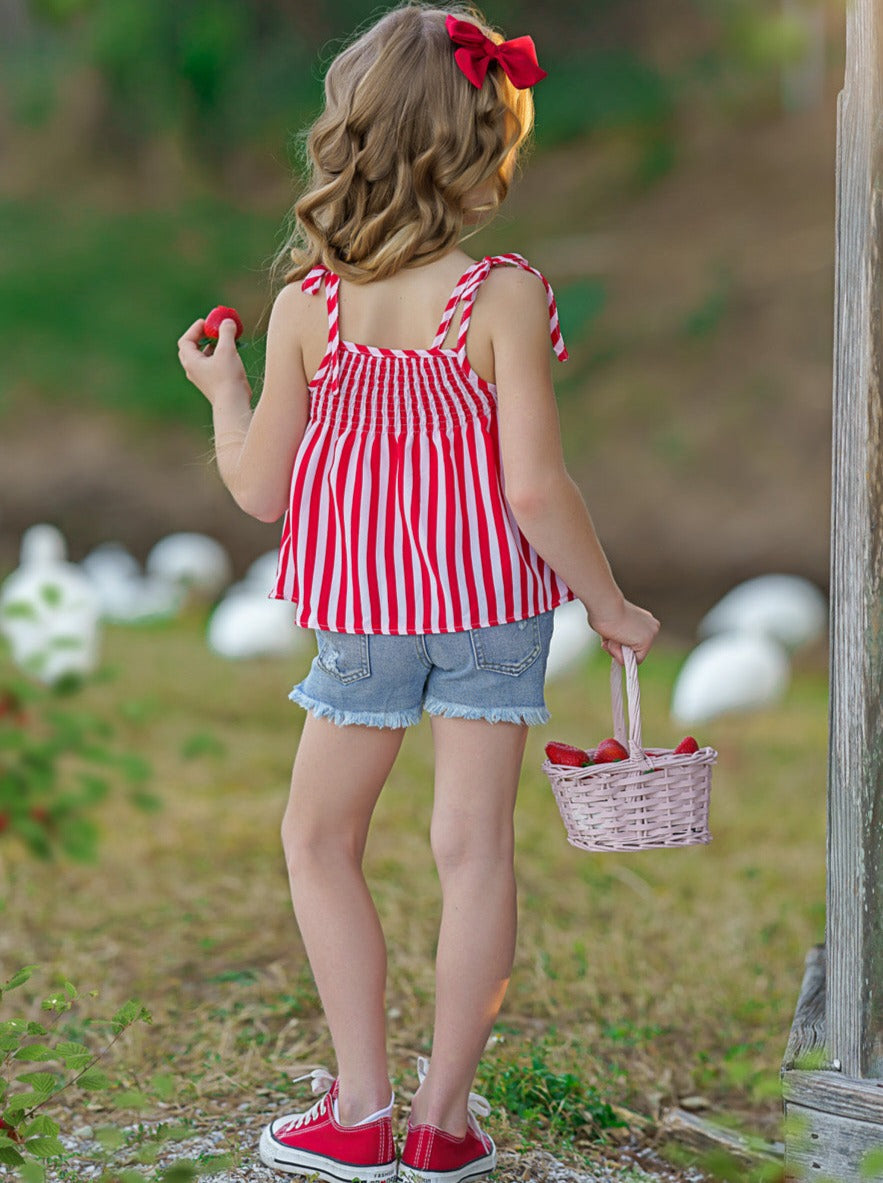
(56, 767)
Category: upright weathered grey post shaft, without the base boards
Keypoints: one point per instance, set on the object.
(854, 1024)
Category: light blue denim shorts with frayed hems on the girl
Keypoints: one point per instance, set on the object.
(493, 674)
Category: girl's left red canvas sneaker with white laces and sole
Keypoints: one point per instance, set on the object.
(315, 1145)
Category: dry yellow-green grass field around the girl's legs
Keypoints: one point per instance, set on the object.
(649, 977)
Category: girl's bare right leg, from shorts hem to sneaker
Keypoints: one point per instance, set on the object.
(478, 768)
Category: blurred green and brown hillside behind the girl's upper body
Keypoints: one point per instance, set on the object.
(680, 196)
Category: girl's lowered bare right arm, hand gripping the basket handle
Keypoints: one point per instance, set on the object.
(546, 502)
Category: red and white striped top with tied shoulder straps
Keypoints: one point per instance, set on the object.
(398, 522)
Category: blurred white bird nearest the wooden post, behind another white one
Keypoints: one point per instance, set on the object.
(787, 607)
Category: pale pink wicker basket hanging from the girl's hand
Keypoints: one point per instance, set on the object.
(654, 800)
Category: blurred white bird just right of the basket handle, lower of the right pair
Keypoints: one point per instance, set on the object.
(730, 673)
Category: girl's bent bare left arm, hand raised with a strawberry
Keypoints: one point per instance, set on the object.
(255, 450)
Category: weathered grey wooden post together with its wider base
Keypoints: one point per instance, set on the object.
(833, 1075)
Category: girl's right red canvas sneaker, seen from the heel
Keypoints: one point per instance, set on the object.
(434, 1156)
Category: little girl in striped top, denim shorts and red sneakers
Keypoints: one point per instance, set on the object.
(408, 430)
